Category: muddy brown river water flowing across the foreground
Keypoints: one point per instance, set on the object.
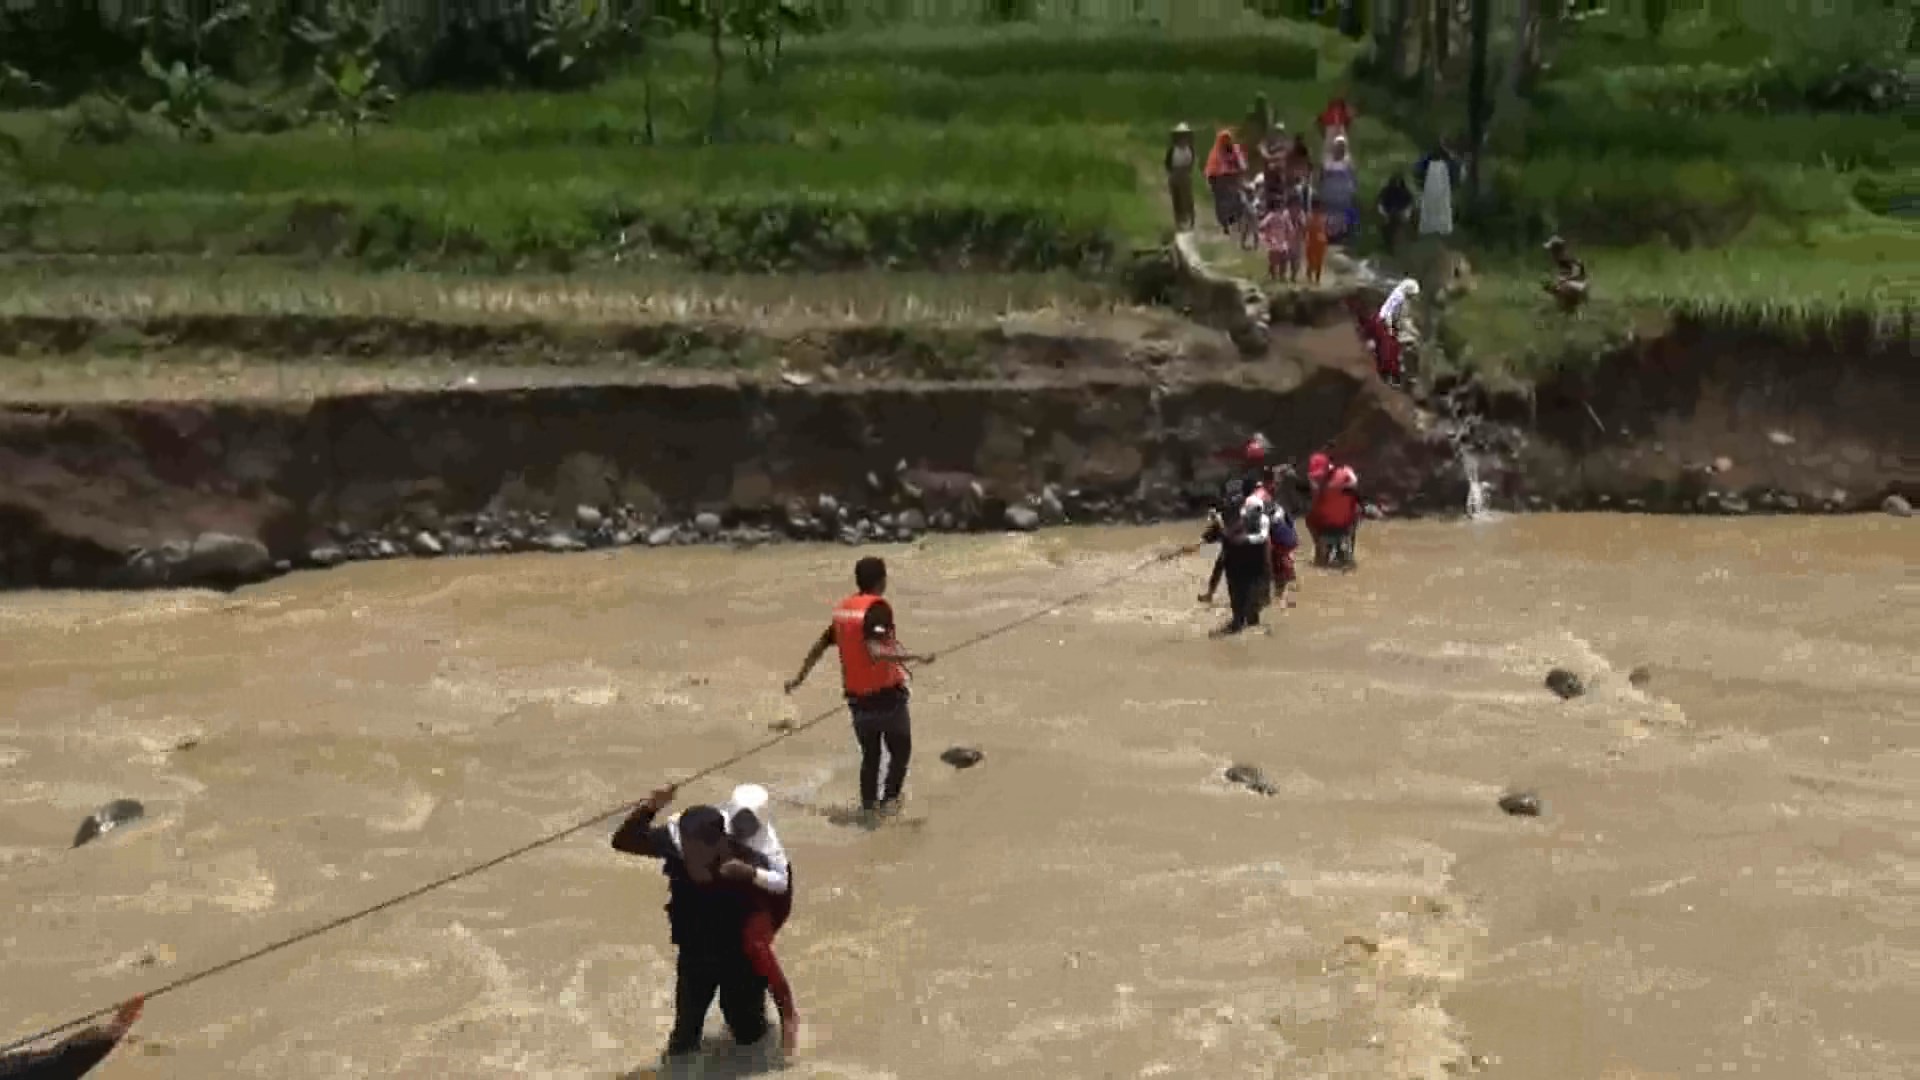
(1725, 881)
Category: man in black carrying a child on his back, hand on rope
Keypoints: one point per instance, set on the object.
(715, 889)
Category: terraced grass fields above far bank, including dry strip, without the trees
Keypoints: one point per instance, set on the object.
(1026, 157)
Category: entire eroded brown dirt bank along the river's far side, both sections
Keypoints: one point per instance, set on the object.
(1055, 428)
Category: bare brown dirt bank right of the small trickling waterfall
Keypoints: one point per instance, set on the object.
(1717, 418)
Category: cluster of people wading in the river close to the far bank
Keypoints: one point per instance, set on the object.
(1257, 535)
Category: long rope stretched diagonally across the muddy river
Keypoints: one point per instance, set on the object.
(583, 825)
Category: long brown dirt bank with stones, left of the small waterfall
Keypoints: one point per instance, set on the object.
(162, 493)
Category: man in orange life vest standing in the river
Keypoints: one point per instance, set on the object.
(875, 679)
